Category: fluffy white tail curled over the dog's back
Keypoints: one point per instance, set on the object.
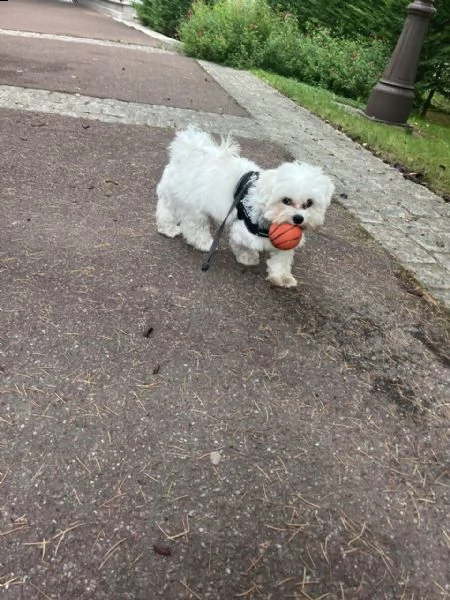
(194, 141)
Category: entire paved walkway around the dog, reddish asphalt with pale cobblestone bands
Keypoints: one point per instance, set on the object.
(166, 433)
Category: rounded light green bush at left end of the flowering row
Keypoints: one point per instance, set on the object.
(233, 32)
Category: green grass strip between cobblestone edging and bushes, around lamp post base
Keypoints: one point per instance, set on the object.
(425, 149)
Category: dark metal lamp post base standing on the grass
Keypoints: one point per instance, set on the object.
(392, 98)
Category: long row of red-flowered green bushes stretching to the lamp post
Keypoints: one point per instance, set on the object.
(248, 33)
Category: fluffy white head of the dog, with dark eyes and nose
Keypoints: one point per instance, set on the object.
(296, 193)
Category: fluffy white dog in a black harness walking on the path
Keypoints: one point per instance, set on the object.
(202, 179)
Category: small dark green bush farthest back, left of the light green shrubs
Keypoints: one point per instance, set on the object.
(162, 15)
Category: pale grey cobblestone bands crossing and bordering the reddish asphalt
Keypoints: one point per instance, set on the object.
(408, 220)
